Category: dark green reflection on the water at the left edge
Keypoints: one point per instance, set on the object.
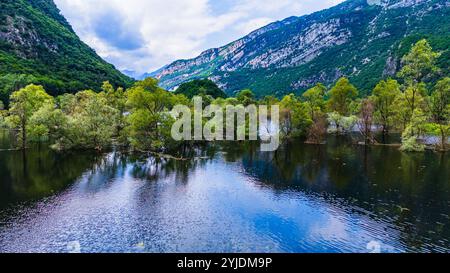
(37, 173)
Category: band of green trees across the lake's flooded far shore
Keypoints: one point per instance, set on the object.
(139, 117)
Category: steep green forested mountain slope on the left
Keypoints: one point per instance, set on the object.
(38, 45)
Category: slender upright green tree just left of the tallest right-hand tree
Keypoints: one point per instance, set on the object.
(384, 96)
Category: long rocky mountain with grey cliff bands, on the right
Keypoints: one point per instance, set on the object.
(361, 39)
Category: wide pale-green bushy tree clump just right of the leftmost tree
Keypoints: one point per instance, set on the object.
(81, 121)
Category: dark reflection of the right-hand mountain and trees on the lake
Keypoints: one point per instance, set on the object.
(410, 190)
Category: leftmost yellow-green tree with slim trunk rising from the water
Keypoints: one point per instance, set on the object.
(23, 104)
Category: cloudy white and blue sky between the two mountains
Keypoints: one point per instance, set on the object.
(144, 35)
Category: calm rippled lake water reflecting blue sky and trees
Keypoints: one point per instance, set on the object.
(333, 198)
